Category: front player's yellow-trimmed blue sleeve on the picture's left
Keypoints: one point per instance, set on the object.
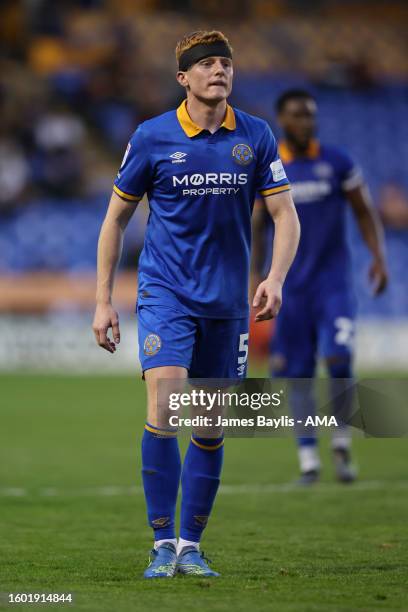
(134, 176)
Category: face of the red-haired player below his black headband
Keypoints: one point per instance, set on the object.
(209, 79)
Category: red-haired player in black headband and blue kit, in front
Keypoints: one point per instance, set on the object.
(201, 167)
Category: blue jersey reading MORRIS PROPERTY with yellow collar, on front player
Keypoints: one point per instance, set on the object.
(201, 188)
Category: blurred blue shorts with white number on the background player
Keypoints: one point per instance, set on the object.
(312, 326)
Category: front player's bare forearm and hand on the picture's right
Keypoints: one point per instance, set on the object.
(268, 295)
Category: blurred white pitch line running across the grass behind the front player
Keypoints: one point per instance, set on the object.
(244, 489)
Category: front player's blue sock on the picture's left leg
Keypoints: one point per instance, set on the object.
(161, 467)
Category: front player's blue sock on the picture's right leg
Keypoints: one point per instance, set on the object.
(199, 481)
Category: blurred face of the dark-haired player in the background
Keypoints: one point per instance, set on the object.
(299, 121)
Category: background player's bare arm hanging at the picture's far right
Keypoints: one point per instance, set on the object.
(372, 233)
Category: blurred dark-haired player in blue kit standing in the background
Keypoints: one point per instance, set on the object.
(318, 312)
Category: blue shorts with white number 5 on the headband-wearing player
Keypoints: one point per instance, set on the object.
(208, 348)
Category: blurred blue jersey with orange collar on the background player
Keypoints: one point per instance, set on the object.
(319, 181)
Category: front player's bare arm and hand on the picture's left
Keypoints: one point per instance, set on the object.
(110, 244)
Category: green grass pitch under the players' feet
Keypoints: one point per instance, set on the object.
(332, 548)
